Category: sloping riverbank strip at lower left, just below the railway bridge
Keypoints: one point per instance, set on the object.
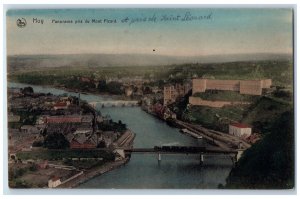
(94, 172)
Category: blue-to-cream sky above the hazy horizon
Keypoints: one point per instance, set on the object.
(151, 31)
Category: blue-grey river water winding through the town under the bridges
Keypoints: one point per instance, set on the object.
(144, 170)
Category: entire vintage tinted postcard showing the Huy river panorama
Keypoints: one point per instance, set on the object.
(150, 98)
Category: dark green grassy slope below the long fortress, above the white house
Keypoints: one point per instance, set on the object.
(261, 114)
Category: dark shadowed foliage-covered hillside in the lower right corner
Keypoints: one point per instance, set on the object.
(268, 164)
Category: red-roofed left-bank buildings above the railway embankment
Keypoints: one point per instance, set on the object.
(50, 114)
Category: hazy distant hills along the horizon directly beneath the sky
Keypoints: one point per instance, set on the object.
(21, 62)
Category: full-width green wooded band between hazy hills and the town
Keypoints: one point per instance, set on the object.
(281, 72)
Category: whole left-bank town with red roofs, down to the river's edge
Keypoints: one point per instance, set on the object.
(57, 141)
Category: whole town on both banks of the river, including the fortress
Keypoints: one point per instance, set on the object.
(65, 140)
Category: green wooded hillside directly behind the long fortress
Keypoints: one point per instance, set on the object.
(281, 72)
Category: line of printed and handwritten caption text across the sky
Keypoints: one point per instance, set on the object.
(185, 17)
